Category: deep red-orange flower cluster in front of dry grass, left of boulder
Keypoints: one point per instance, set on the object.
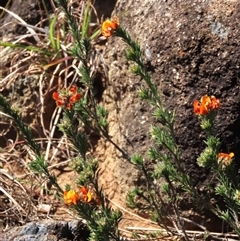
(67, 97)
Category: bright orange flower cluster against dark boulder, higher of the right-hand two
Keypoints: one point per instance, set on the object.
(205, 105)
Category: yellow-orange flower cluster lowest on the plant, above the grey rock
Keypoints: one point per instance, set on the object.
(72, 198)
